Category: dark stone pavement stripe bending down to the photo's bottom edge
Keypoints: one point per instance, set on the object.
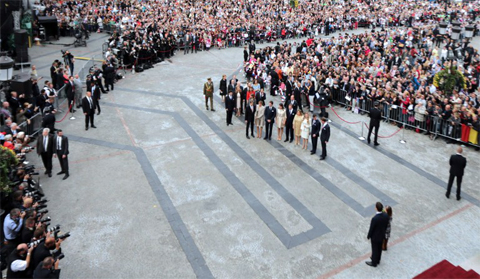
(194, 257)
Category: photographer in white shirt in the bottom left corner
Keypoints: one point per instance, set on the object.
(19, 261)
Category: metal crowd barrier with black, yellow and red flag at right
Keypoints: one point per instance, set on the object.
(434, 125)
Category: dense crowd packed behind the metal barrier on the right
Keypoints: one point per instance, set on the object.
(394, 67)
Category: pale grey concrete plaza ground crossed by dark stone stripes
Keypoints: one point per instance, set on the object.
(164, 189)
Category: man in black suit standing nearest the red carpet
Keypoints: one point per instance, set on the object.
(376, 234)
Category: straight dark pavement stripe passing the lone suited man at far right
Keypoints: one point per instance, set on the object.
(407, 164)
